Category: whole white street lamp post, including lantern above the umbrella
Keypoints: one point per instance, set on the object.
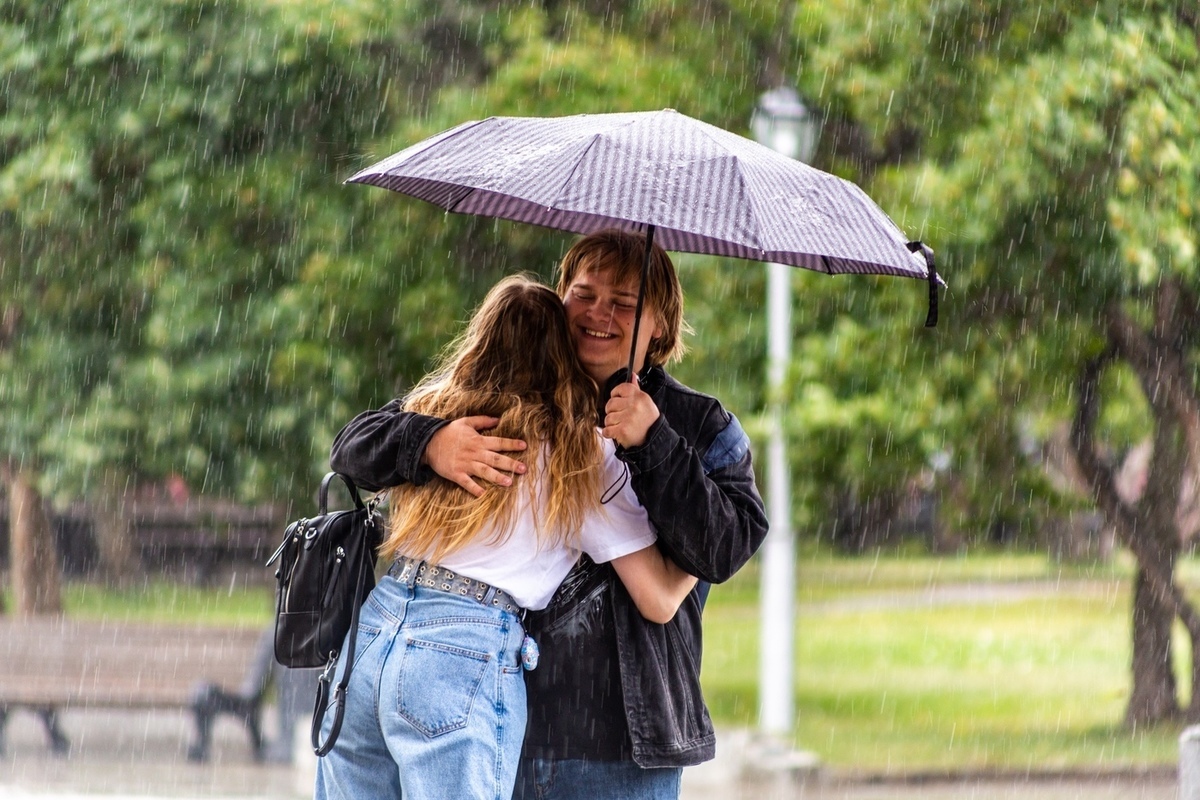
(782, 123)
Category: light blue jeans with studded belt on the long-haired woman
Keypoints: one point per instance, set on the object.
(436, 707)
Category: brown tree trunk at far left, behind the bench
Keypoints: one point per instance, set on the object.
(37, 581)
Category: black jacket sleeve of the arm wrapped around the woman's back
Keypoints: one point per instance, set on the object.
(383, 448)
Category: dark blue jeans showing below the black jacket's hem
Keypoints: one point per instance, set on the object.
(580, 780)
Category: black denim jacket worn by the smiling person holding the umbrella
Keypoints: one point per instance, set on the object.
(694, 478)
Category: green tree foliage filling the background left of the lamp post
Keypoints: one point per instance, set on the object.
(189, 287)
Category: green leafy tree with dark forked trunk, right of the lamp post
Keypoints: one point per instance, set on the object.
(1051, 153)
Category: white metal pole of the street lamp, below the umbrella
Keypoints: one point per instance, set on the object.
(778, 593)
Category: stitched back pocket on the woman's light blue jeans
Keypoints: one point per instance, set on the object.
(439, 684)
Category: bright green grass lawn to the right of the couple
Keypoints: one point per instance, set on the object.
(1033, 676)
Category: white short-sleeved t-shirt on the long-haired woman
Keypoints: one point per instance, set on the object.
(531, 573)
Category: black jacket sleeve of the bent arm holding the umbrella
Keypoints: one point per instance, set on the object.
(706, 508)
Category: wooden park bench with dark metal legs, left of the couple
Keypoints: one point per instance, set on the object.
(51, 665)
